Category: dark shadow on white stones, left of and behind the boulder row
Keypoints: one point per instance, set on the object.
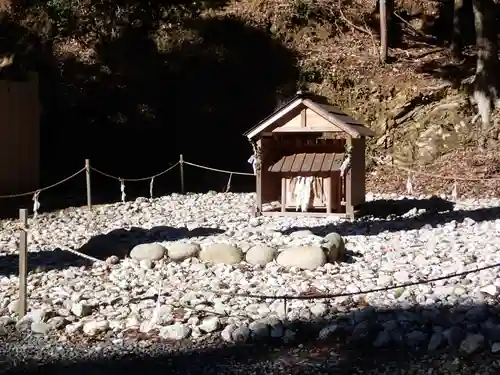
(118, 242)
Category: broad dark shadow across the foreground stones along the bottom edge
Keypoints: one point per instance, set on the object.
(422, 340)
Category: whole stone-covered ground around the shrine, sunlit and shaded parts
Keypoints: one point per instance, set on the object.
(141, 301)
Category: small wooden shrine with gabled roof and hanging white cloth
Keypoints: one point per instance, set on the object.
(309, 159)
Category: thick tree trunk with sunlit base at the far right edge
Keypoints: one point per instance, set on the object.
(486, 81)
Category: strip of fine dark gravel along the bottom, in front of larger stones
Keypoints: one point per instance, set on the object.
(43, 355)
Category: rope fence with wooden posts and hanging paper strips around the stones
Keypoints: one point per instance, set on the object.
(24, 228)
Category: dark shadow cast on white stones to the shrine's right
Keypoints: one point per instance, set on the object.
(399, 215)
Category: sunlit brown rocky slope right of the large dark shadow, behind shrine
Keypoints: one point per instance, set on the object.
(418, 103)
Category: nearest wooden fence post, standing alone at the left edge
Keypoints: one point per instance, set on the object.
(23, 263)
